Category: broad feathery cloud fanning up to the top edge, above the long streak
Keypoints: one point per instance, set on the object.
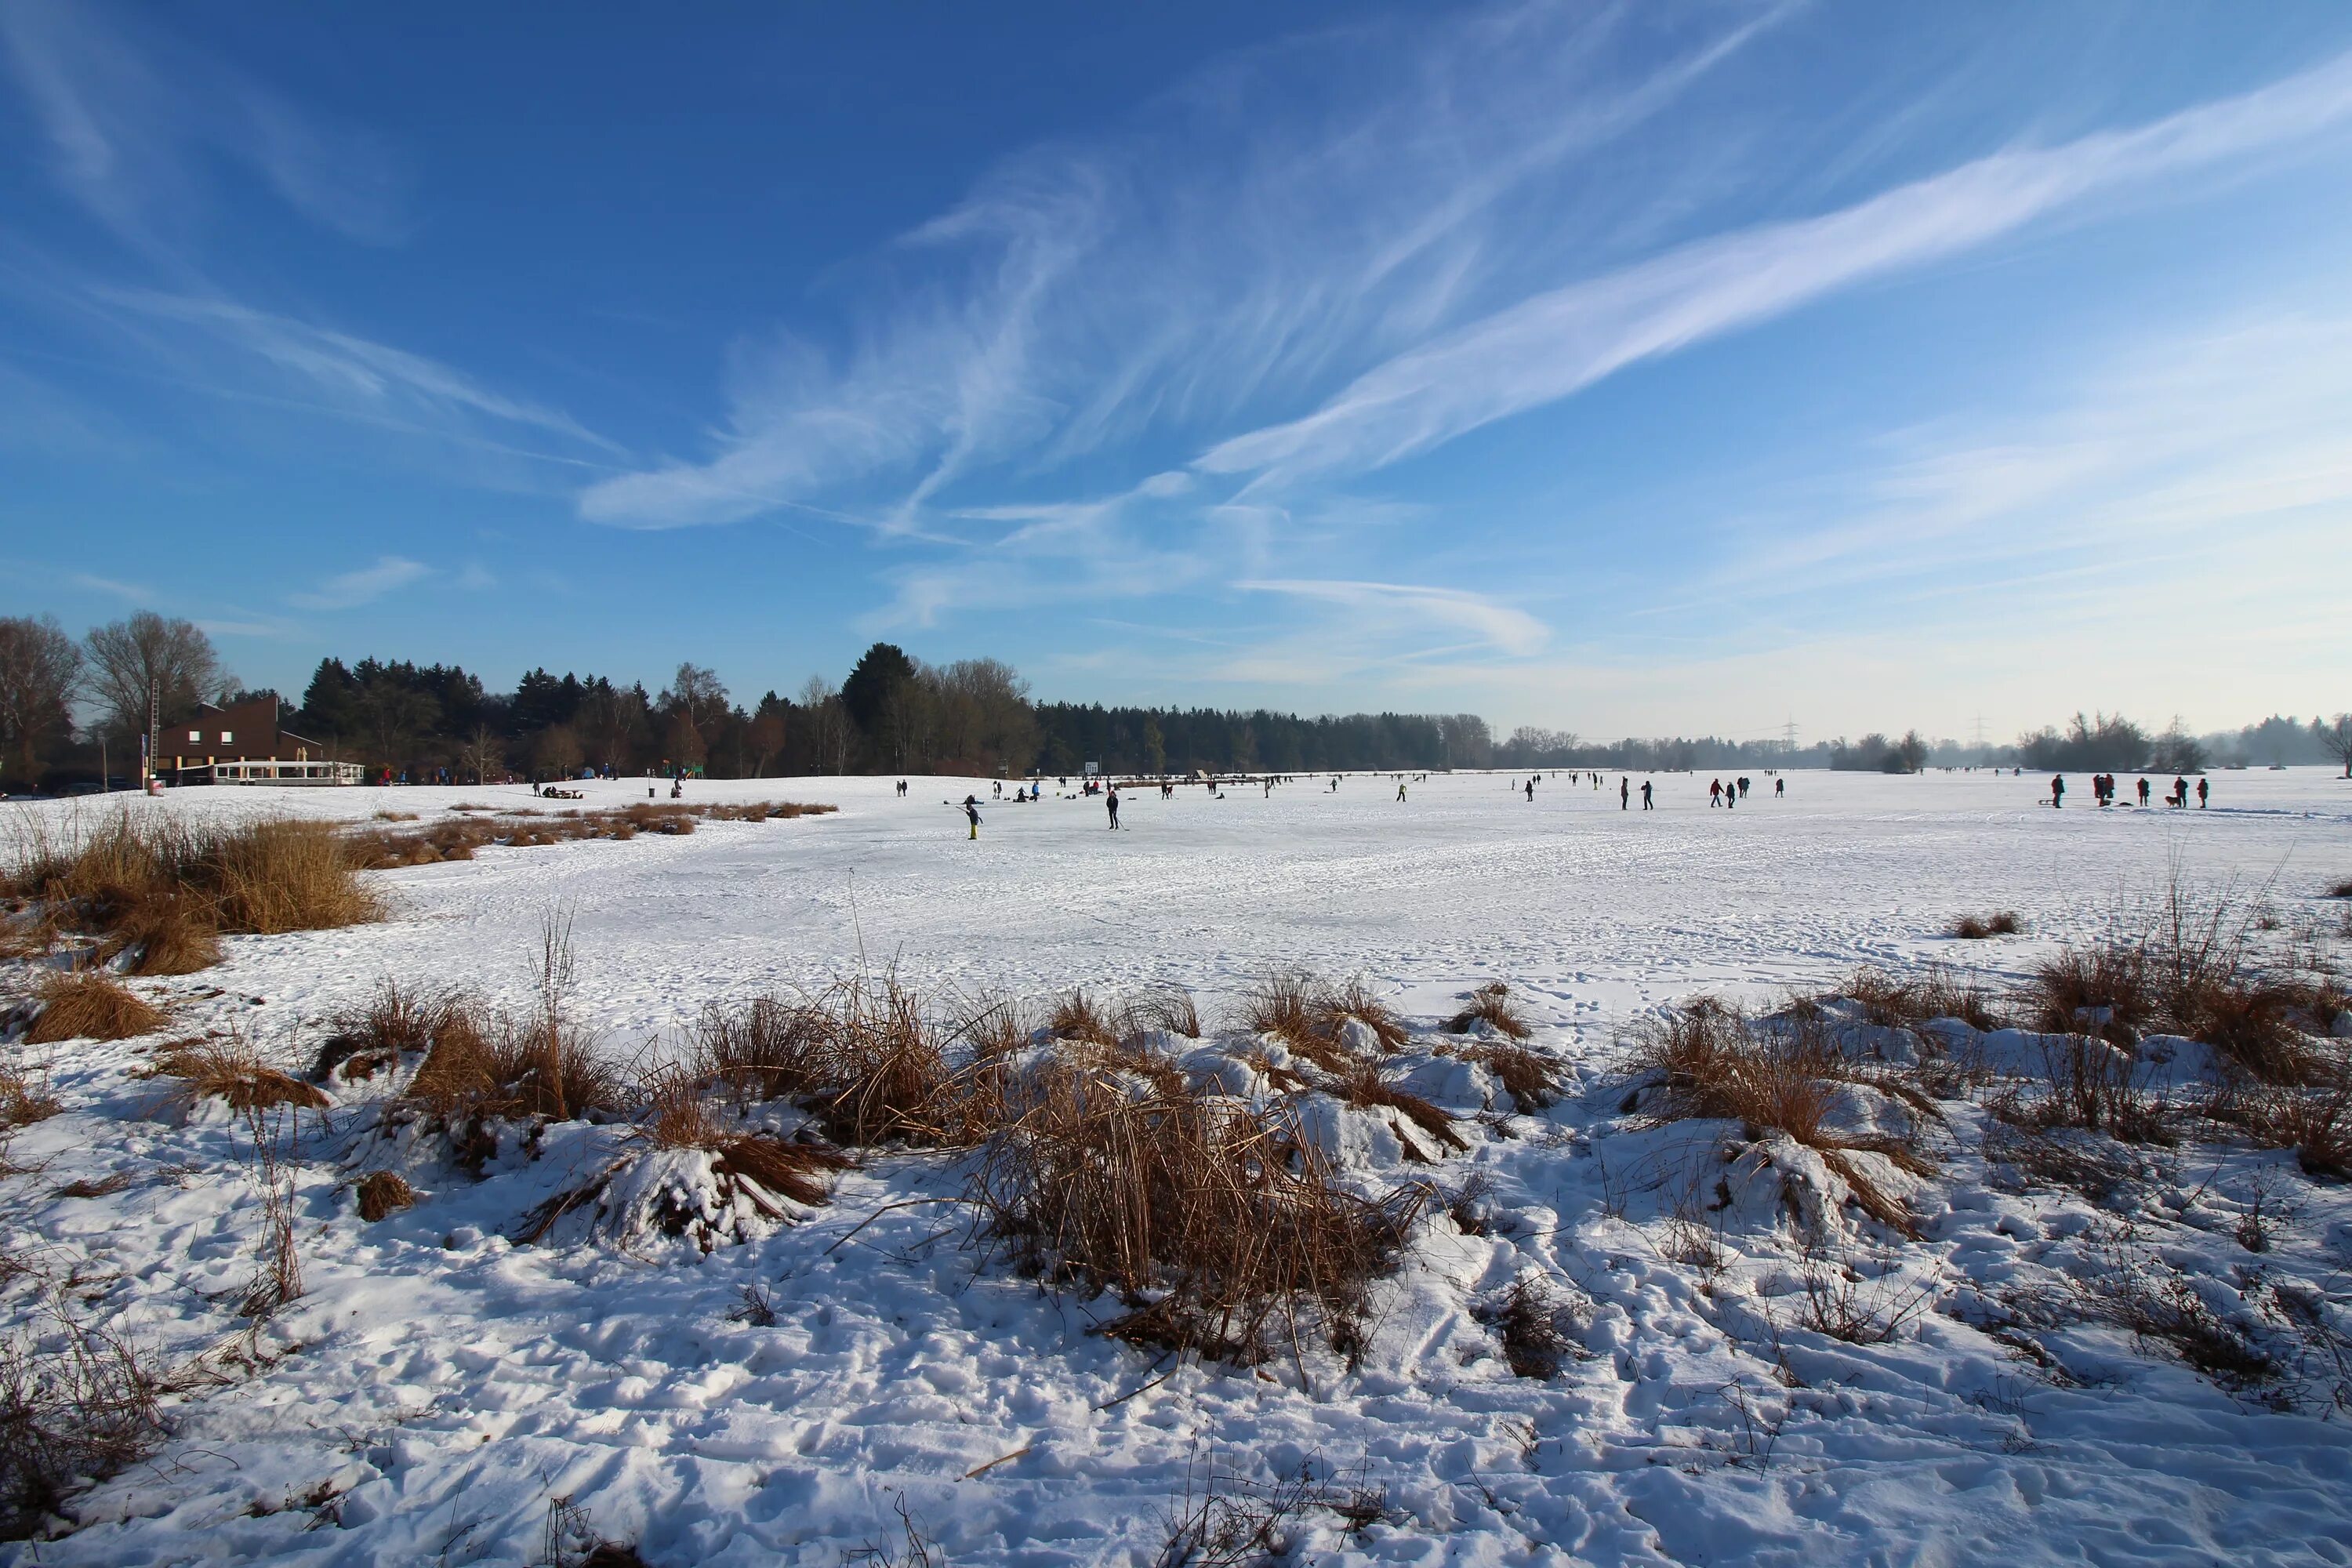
(1231, 246)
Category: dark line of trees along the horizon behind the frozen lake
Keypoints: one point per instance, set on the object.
(60, 699)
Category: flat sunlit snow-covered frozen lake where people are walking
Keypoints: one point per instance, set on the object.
(1589, 909)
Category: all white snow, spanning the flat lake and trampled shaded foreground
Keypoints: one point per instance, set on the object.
(446, 1383)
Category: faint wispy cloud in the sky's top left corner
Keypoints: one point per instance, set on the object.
(135, 114)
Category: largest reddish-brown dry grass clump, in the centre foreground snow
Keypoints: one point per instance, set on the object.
(1208, 1217)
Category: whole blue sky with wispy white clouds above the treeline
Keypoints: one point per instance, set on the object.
(1612, 368)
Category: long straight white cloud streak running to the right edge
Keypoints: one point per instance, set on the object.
(1565, 340)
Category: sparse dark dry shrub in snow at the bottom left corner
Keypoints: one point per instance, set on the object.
(76, 1407)
